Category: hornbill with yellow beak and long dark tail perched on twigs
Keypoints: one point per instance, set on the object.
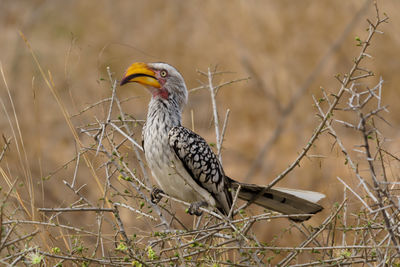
(183, 163)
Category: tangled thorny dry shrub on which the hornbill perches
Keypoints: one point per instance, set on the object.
(127, 229)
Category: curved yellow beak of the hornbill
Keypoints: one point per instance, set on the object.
(140, 73)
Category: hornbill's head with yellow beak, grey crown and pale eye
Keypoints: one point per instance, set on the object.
(162, 80)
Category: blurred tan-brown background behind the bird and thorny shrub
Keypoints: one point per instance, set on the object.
(282, 46)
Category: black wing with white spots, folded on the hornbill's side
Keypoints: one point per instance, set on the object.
(202, 164)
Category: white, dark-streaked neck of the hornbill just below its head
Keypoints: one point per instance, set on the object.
(163, 114)
